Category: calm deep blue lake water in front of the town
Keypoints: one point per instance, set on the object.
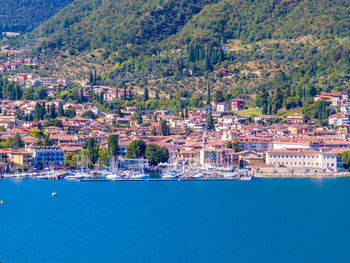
(264, 220)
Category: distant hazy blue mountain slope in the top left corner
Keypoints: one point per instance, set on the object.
(24, 15)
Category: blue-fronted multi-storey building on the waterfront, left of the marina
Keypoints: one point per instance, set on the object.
(46, 156)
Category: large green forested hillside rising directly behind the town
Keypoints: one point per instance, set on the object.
(301, 46)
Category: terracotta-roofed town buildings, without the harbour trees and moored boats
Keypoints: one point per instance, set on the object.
(209, 136)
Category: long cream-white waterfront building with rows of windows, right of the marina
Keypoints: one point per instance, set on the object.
(302, 159)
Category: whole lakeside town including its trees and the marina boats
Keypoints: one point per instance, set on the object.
(42, 131)
